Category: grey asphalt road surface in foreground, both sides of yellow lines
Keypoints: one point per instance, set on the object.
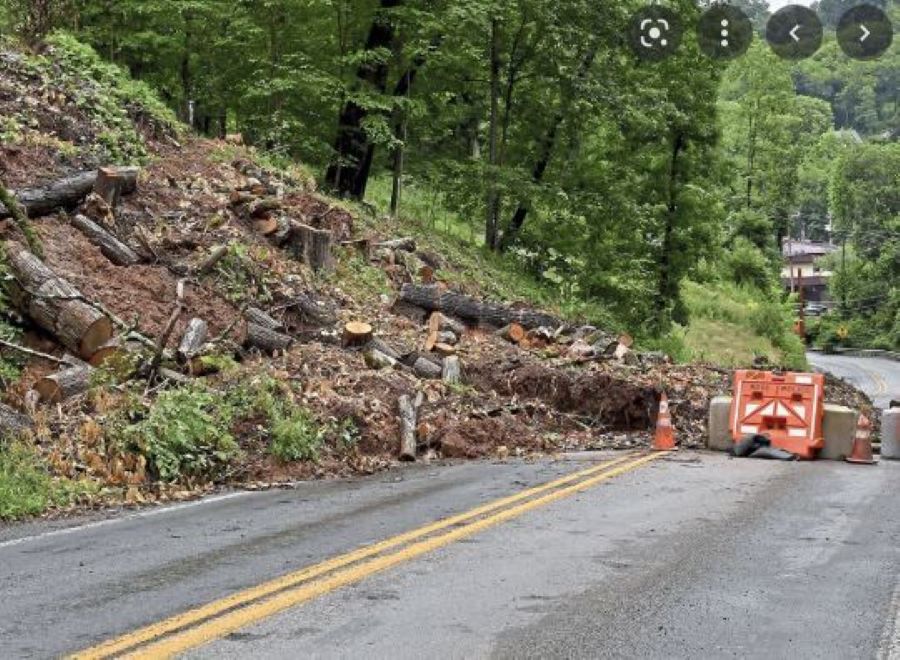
(692, 555)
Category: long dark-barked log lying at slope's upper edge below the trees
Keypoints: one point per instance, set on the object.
(431, 298)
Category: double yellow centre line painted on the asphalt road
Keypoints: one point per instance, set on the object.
(196, 627)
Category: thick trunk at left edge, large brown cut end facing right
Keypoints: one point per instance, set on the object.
(55, 305)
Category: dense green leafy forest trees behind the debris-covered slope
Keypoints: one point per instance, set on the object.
(535, 126)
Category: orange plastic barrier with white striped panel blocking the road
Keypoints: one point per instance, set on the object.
(788, 408)
